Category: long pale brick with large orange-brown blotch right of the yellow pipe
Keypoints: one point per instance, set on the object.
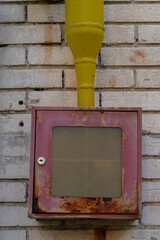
(141, 56)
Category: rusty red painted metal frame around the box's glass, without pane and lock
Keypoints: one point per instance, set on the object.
(44, 206)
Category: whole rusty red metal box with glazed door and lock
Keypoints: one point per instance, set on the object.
(85, 163)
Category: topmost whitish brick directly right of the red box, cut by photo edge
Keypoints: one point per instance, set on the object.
(150, 122)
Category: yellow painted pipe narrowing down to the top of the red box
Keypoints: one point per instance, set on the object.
(84, 33)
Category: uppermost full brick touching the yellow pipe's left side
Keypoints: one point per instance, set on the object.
(46, 13)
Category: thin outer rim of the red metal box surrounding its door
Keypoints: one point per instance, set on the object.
(82, 216)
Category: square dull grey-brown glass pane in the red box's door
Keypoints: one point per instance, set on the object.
(86, 162)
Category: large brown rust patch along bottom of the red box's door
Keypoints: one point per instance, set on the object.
(99, 205)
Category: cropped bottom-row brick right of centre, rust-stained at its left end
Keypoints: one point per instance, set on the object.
(133, 234)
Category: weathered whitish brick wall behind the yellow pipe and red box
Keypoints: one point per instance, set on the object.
(36, 68)
